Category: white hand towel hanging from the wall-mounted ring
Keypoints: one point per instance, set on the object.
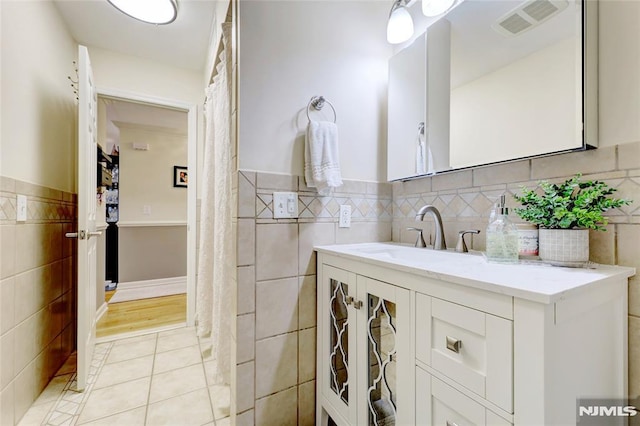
(321, 160)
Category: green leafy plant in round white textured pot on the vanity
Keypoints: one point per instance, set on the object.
(565, 213)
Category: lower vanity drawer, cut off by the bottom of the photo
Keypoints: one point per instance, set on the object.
(439, 404)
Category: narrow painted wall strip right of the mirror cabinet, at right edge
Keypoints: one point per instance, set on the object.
(619, 72)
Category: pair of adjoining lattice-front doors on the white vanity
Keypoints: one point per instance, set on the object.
(364, 348)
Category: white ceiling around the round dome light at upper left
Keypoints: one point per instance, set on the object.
(183, 43)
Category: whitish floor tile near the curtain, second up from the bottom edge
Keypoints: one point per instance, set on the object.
(176, 382)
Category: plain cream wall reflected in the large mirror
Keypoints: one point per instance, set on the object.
(510, 112)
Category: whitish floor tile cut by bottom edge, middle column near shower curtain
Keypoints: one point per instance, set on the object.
(189, 409)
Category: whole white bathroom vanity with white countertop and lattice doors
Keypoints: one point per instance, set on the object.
(416, 336)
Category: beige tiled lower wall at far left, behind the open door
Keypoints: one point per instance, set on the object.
(37, 292)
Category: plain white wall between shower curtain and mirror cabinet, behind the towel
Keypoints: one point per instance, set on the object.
(290, 51)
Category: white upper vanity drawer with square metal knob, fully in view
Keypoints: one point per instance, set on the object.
(471, 347)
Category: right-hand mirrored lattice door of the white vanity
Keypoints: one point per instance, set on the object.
(384, 354)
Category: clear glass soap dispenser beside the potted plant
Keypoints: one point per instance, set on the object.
(502, 236)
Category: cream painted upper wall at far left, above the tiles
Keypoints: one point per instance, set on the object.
(38, 114)
